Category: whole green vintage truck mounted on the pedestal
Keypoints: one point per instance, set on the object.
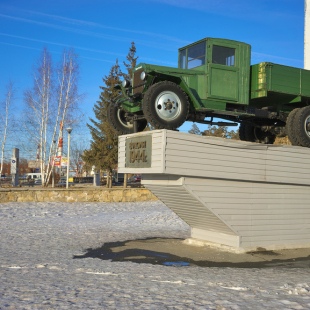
(215, 80)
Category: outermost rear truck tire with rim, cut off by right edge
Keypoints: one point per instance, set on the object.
(302, 126)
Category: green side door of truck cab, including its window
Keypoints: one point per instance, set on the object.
(223, 71)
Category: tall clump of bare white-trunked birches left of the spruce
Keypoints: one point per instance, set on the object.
(50, 102)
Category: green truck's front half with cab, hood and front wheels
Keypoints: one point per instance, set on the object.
(212, 80)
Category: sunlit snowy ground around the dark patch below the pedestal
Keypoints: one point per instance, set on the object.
(38, 270)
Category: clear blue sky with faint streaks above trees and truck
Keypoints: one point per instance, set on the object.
(101, 31)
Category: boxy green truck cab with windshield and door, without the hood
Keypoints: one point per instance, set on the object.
(225, 68)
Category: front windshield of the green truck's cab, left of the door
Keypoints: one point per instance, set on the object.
(193, 56)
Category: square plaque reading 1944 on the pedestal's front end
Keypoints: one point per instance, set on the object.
(139, 151)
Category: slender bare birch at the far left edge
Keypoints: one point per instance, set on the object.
(5, 120)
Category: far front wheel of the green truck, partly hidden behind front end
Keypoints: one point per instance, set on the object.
(117, 119)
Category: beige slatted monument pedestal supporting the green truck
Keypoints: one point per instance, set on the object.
(238, 194)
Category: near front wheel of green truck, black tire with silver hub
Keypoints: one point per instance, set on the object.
(165, 105)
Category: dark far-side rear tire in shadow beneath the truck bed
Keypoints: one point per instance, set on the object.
(250, 132)
